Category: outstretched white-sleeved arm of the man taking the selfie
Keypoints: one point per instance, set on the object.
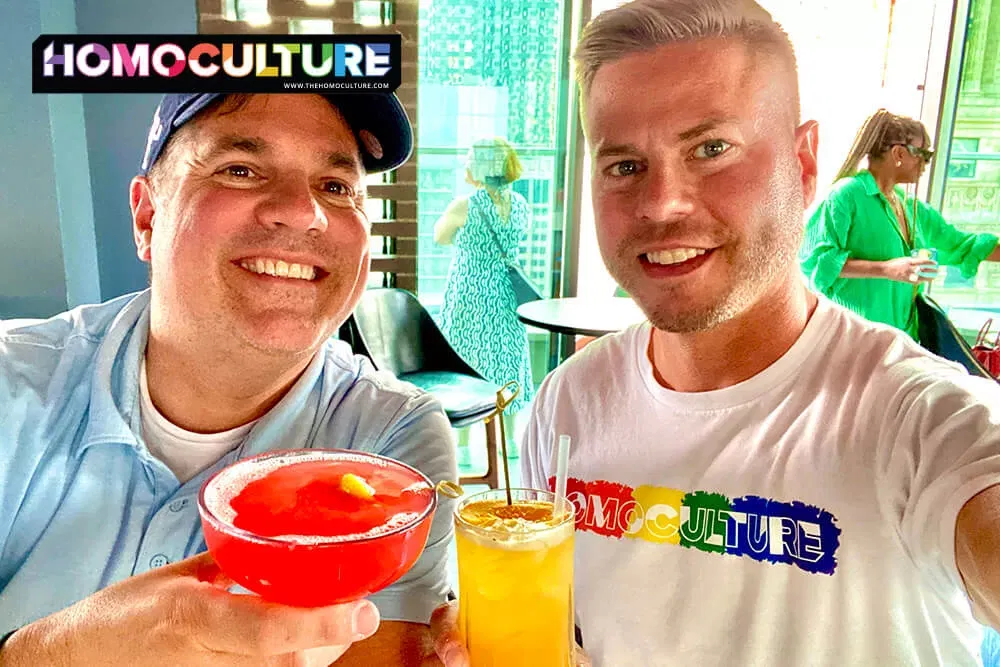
(938, 456)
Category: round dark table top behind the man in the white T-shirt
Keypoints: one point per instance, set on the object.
(581, 316)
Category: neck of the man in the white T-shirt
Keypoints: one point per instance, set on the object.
(719, 358)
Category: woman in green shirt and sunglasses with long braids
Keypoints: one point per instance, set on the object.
(859, 242)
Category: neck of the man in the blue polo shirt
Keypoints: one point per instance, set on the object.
(208, 391)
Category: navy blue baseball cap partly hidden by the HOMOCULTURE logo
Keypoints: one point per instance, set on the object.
(379, 123)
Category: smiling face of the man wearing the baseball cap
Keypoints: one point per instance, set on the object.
(255, 228)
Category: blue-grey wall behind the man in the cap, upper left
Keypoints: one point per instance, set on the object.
(66, 161)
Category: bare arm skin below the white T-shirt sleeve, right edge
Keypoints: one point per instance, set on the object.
(977, 553)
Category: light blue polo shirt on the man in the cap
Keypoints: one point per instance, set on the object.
(83, 504)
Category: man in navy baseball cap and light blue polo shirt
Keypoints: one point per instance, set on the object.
(249, 210)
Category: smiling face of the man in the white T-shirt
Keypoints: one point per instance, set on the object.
(700, 179)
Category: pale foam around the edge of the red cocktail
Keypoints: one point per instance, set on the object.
(230, 482)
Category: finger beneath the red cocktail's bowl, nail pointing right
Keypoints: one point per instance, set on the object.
(248, 625)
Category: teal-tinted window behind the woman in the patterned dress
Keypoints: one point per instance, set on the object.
(491, 68)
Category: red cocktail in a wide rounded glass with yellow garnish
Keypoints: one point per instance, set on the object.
(316, 527)
